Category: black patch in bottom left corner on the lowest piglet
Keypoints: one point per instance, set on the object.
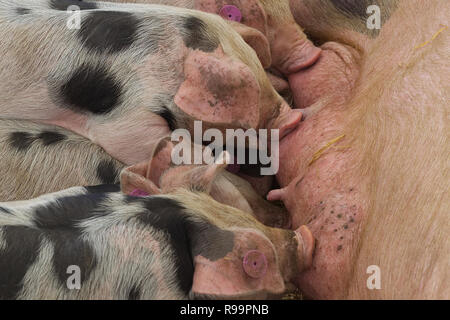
(21, 248)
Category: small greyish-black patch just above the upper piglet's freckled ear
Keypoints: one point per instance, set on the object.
(196, 35)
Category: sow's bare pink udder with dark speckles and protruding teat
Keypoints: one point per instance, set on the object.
(323, 195)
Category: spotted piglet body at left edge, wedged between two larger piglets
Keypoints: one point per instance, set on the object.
(37, 159)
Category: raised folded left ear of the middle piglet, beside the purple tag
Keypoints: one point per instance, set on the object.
(143, 178)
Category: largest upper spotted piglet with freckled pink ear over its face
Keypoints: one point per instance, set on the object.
(128, 74)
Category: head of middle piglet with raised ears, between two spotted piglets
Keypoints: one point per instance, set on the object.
(160, 176)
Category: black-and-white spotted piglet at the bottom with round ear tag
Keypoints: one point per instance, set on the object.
(96, 243)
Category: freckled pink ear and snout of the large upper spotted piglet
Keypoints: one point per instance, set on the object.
(224, 93)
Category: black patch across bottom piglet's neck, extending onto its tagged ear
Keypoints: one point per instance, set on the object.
(188, 238)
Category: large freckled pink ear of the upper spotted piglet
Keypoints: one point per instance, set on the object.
(219, 89)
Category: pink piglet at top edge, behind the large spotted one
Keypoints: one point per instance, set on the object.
(291, 51)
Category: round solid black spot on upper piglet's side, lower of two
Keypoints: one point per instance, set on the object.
(91, 89)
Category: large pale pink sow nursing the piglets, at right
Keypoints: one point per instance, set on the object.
(357, 178)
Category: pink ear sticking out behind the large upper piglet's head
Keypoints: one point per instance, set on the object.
(257, 40)
